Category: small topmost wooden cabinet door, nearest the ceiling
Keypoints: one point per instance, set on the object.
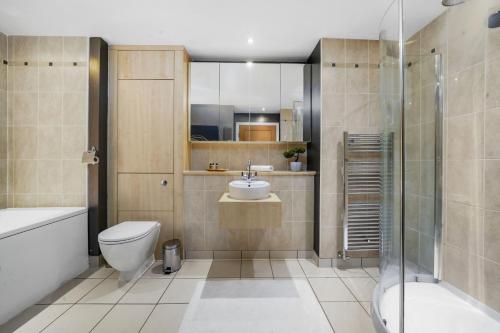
(143, 65)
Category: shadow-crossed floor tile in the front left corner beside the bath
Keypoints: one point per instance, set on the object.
(34, 319)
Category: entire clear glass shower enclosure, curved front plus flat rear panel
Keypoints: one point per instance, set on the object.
(410, 104)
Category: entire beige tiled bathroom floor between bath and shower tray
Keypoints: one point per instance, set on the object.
(210, 296)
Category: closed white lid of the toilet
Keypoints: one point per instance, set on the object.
(127, 231)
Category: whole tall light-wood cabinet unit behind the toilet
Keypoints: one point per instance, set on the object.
(148, 136)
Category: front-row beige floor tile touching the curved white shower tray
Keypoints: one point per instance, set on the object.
(348, 317)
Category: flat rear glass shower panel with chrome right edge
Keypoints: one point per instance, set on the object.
(423, 101)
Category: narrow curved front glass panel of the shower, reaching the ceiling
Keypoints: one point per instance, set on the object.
(390, 106)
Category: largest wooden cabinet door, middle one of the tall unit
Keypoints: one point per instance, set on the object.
(145, 126)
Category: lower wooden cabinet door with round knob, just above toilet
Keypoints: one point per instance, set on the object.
(145, 192)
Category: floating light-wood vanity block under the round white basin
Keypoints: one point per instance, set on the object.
(249, 214)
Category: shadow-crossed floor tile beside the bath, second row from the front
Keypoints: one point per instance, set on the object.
(71, 292)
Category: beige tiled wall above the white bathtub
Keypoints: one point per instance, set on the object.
(47, 120)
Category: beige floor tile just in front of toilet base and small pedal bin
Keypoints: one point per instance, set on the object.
(146, 291)
